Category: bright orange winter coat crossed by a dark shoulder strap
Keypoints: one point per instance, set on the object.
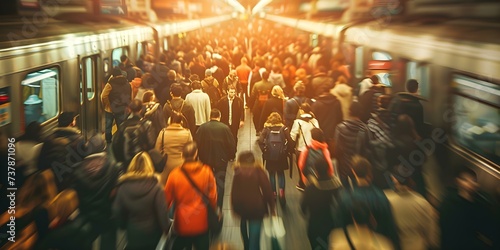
(190, 211)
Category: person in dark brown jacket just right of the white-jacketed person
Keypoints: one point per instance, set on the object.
(328, 112)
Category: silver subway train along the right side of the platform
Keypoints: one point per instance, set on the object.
(456, 62)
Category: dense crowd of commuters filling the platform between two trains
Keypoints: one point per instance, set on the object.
(177, 121)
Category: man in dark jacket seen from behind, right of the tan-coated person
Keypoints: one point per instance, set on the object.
(216, 147)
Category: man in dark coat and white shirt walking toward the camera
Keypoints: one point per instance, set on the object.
(236, 112)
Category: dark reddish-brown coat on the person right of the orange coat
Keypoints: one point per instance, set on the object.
(251, 195)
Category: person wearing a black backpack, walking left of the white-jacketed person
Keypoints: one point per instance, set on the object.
(273, 143)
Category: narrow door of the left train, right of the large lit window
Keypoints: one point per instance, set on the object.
(89, 97)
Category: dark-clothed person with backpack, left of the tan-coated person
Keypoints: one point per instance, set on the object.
(133, 136)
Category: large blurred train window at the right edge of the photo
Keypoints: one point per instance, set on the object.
(477, 116)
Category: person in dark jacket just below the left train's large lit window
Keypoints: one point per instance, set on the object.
(64, 148)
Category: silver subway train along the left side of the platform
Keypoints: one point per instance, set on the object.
(58, 64)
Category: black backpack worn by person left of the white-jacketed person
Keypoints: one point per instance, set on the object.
(275, 145)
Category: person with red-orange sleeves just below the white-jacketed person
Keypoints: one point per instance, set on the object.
(317, 150)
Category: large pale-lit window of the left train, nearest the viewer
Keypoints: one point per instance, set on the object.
(40, 95)
